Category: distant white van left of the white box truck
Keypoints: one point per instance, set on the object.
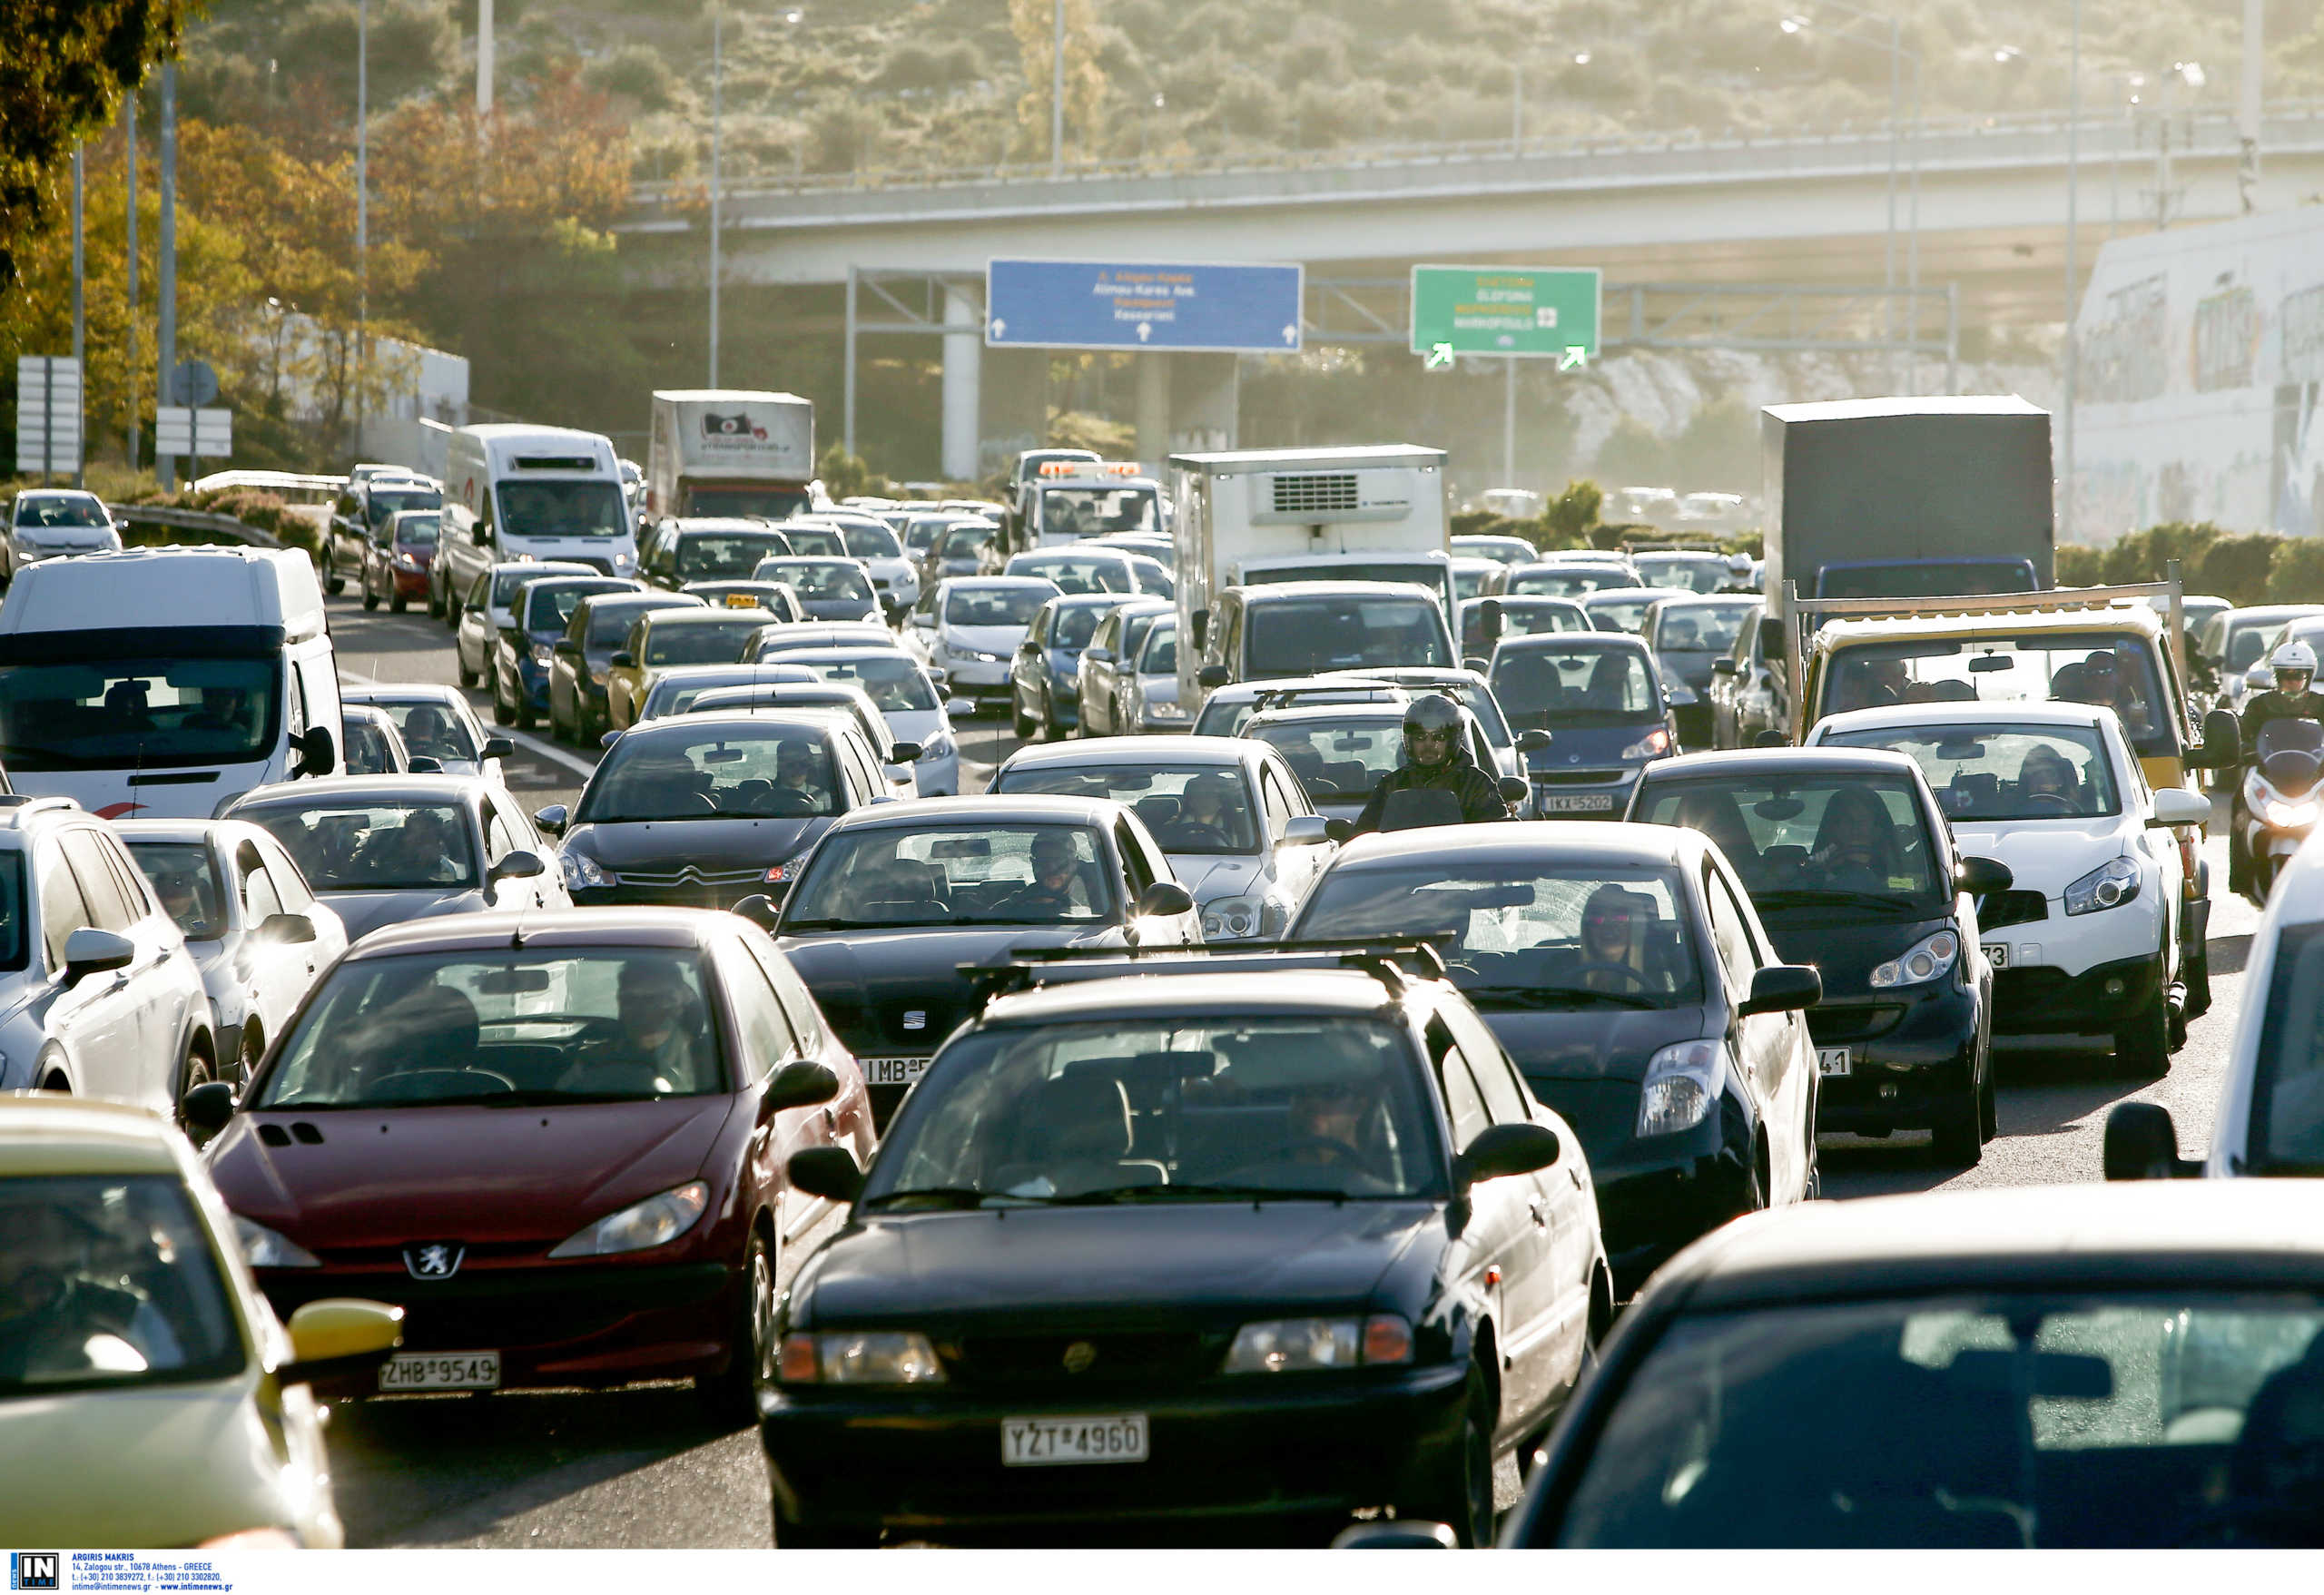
(533, 494)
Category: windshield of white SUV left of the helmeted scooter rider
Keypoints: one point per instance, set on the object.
(2002, 773)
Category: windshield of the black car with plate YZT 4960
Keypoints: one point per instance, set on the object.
(1165, 1110)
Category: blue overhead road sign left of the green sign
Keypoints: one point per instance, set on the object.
(1142, 306)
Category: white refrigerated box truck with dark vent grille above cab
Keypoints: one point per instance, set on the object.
(1303, 515)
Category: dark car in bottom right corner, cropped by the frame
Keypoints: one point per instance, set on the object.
(2056, 1366)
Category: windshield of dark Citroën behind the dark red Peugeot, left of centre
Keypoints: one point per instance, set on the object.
(701, 775)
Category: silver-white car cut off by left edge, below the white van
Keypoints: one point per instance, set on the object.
(99, 994)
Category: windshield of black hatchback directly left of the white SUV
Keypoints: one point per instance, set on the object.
(1812, 838)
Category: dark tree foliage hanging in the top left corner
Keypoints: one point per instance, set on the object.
(64, 66)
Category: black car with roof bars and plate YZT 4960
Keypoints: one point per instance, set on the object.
(1231, 1247)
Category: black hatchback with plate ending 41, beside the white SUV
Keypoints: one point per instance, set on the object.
(1905, 1027)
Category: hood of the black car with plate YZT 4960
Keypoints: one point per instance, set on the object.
(1207, 1261)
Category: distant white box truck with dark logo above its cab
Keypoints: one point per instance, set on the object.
(719, 452)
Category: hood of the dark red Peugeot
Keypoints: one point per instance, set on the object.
(480, 1175)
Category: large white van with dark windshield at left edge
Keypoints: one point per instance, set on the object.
(166, 682)
